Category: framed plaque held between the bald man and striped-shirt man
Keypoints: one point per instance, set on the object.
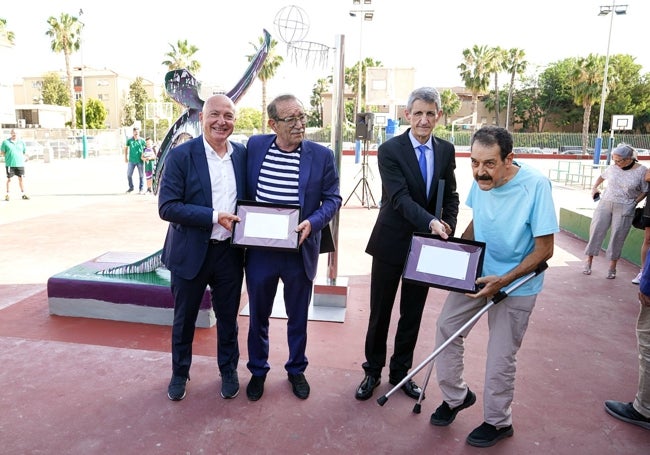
(268, 226)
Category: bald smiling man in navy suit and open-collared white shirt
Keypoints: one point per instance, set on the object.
(200, 185)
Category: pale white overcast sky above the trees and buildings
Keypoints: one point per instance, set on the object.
(132, 38)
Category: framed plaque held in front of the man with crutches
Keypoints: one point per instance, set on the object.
(453, 264)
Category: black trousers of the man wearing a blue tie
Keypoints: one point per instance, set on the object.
(385, 279)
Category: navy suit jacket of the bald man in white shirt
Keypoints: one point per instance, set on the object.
(185, 200)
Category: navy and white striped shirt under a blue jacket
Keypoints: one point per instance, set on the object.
(278, 181)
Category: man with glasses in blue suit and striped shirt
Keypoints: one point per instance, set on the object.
(283, 168)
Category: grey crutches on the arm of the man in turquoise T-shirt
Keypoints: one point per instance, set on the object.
(496, 298)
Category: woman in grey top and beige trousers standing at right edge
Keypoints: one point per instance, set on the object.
(626, 187)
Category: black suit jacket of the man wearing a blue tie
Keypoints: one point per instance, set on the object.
(405, 208)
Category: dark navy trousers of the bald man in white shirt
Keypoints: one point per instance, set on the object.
(223, 271)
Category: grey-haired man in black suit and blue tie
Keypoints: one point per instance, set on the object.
(411, 166)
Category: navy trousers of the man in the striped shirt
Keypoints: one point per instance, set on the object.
(264, 269)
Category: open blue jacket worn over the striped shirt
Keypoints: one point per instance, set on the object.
(318, 188)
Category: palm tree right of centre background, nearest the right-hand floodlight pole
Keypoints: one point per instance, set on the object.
(586, 82)
